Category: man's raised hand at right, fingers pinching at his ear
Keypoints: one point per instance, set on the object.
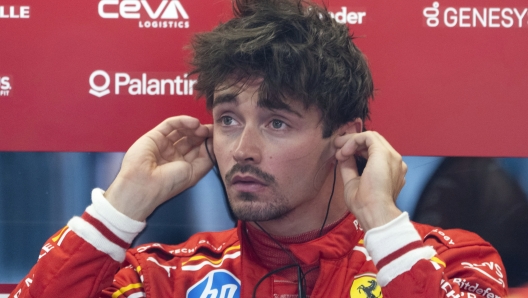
(370, 197)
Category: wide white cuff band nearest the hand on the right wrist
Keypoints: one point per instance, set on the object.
(384, 240)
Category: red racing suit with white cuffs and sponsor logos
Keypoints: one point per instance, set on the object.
(88, 258)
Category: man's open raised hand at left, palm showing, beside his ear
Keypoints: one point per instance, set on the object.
(161, 164)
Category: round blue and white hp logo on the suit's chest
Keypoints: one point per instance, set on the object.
(216, 284)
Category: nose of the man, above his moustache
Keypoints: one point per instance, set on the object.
(248, 148)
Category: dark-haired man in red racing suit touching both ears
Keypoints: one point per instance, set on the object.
(289, 92)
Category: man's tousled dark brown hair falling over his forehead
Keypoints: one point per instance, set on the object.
(298, 50)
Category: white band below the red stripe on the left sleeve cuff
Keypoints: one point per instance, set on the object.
(91, 235)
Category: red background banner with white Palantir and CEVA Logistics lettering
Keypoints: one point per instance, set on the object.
(451, 77)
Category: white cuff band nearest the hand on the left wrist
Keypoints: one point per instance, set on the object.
(121, 225)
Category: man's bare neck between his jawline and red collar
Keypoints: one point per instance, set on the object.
(311, 215)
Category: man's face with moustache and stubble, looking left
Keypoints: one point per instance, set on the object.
(273, 161)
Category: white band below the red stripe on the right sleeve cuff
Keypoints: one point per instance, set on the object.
(403, 264)
